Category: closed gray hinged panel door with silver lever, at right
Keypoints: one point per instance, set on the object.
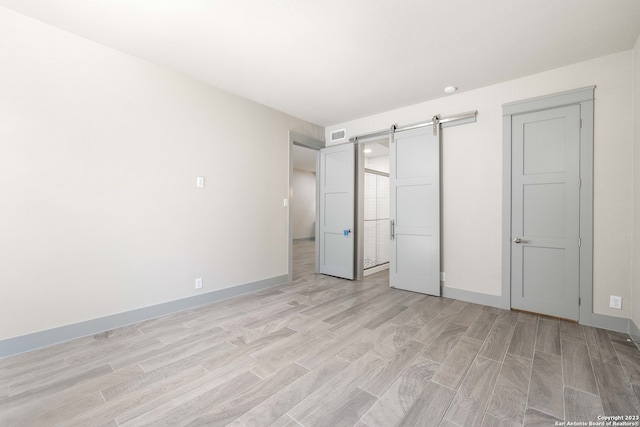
(545, 253)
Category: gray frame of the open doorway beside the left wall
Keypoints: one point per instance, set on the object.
(314, 144)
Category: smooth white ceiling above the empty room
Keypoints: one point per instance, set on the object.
(329, 61)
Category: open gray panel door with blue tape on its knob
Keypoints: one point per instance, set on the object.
(337, 211)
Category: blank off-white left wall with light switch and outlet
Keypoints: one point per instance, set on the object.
(99, 157)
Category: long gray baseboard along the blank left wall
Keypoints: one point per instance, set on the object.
(49, 337)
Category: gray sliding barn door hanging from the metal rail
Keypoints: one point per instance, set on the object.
(414, 181)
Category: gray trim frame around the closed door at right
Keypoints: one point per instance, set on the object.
(584, 98)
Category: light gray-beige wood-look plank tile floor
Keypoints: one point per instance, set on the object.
(327, 352)
